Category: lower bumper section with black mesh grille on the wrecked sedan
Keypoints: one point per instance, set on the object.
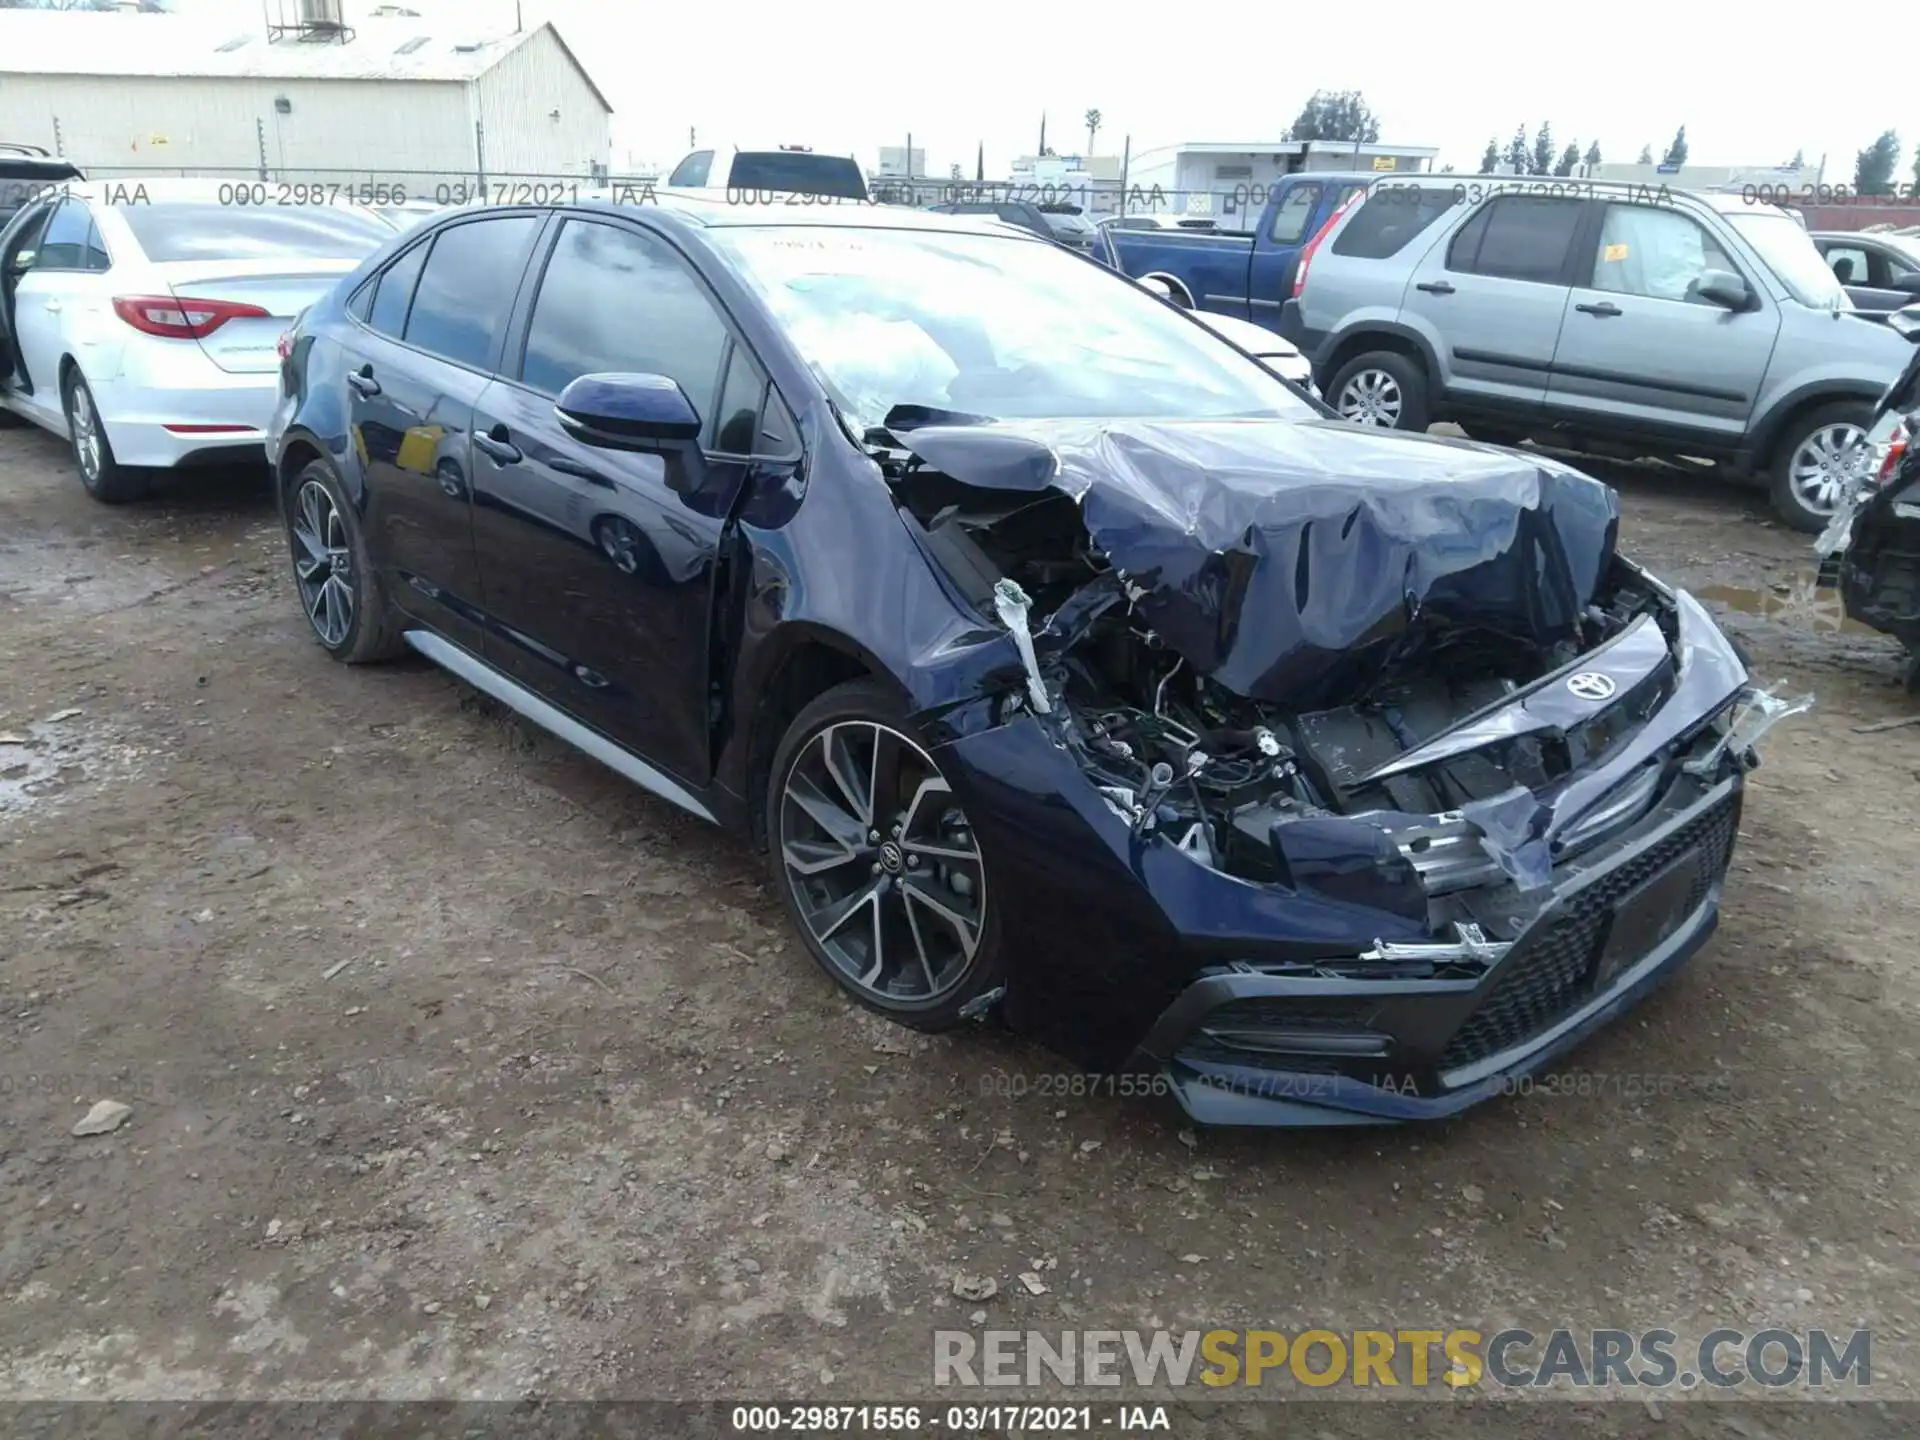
(1251, 1047)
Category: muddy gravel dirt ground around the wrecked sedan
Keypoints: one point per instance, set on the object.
(462, 1068)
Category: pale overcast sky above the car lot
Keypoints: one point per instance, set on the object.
(859, 74)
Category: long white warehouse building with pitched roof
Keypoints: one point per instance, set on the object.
(149, 95)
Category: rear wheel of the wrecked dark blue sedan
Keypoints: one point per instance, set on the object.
(333, 575)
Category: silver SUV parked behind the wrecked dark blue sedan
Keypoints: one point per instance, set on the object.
(1620, 320)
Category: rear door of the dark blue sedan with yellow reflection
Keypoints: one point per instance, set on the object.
(429, 337)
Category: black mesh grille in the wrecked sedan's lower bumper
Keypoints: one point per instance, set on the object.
(1554, 974)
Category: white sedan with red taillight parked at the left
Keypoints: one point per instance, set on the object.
(141, 320)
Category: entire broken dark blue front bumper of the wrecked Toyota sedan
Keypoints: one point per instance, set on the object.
(1301, 1005)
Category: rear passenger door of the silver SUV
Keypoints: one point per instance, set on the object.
(1495, 295)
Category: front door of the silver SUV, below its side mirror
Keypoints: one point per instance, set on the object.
(1641, 345)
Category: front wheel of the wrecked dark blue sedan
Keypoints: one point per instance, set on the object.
(878, 865)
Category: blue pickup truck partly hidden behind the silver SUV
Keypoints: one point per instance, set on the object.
(1241, 274)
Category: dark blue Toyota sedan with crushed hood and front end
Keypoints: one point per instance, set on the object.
(1070, 667)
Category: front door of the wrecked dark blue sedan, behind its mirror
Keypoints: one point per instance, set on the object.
(600, 564)
